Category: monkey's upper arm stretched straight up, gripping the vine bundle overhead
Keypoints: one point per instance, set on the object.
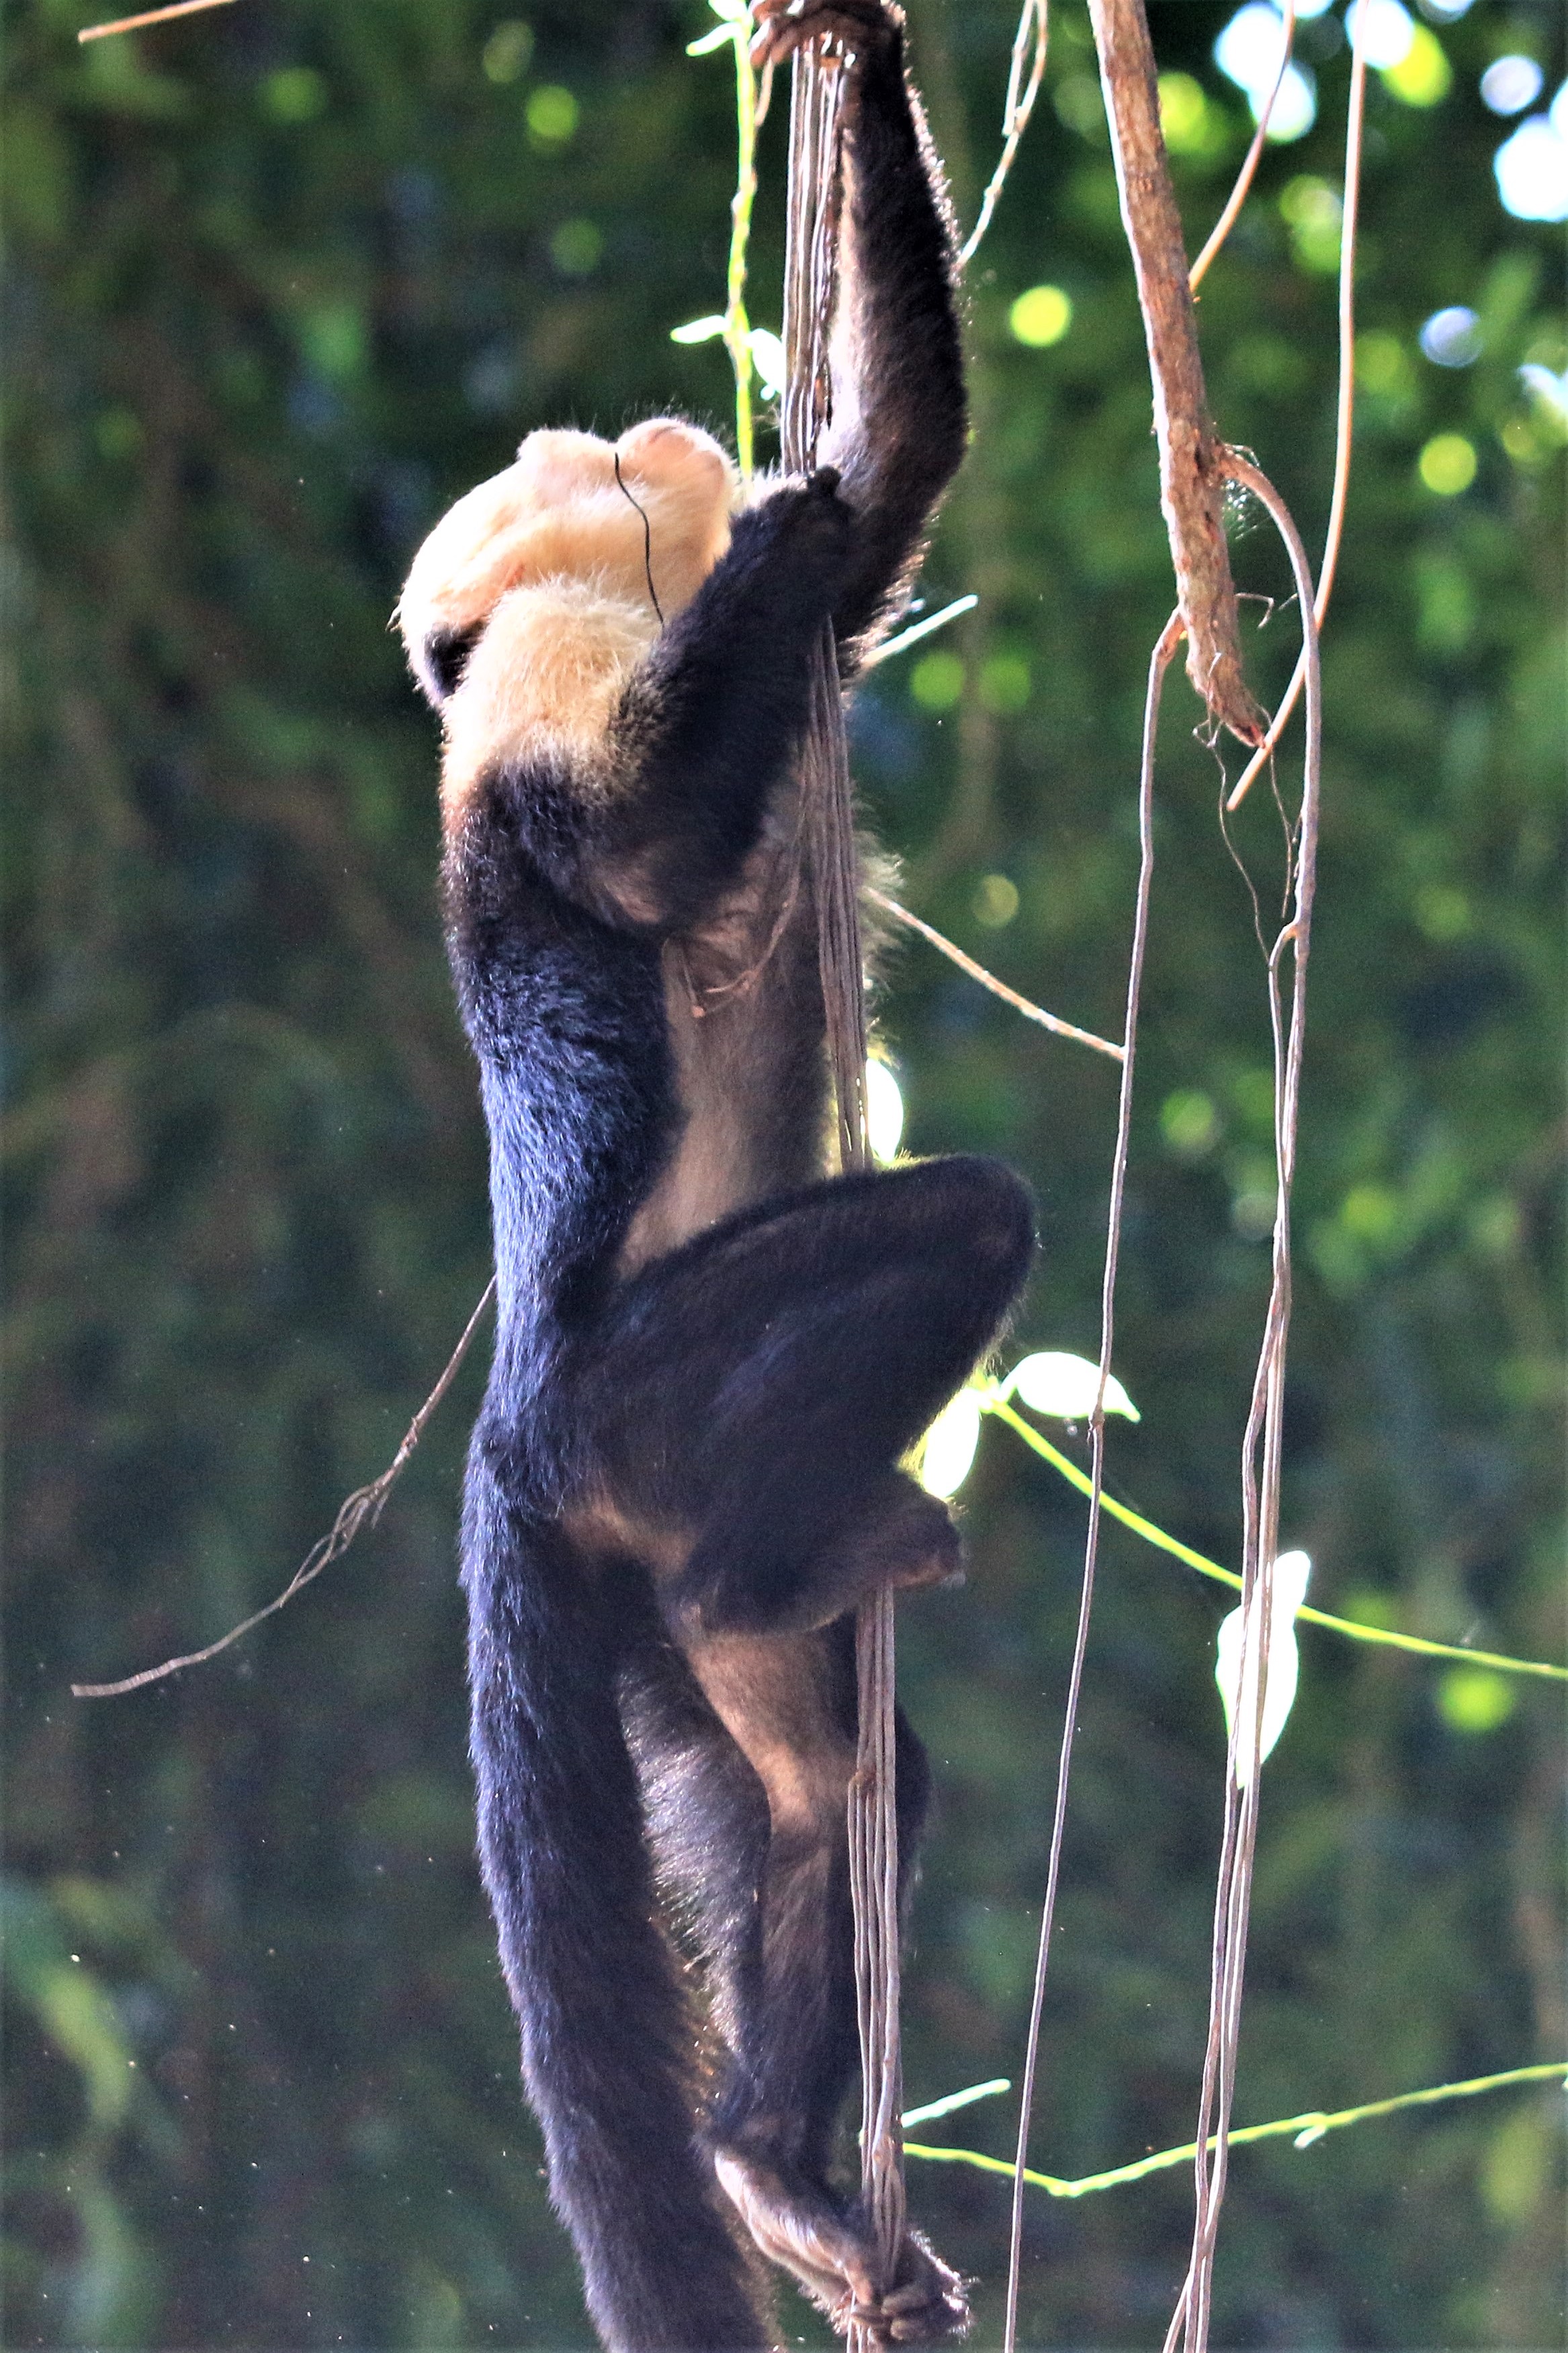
(901, 411)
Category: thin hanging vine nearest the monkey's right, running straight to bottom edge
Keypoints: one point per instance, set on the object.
(1160, 662)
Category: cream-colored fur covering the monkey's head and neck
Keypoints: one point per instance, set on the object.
(552, 561)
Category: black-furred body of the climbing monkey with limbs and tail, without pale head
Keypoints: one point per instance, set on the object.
(710, 1359)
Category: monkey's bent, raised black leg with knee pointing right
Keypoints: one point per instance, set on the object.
(759, 1387)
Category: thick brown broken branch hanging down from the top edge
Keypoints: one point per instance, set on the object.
(1192, 474)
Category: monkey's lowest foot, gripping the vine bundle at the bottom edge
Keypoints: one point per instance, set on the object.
(837, 2265)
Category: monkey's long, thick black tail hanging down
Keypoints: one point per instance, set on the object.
(606, 2032)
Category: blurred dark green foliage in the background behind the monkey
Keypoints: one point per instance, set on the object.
(284, 284)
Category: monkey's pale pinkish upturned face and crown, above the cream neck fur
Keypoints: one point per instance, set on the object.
(637, 521)
